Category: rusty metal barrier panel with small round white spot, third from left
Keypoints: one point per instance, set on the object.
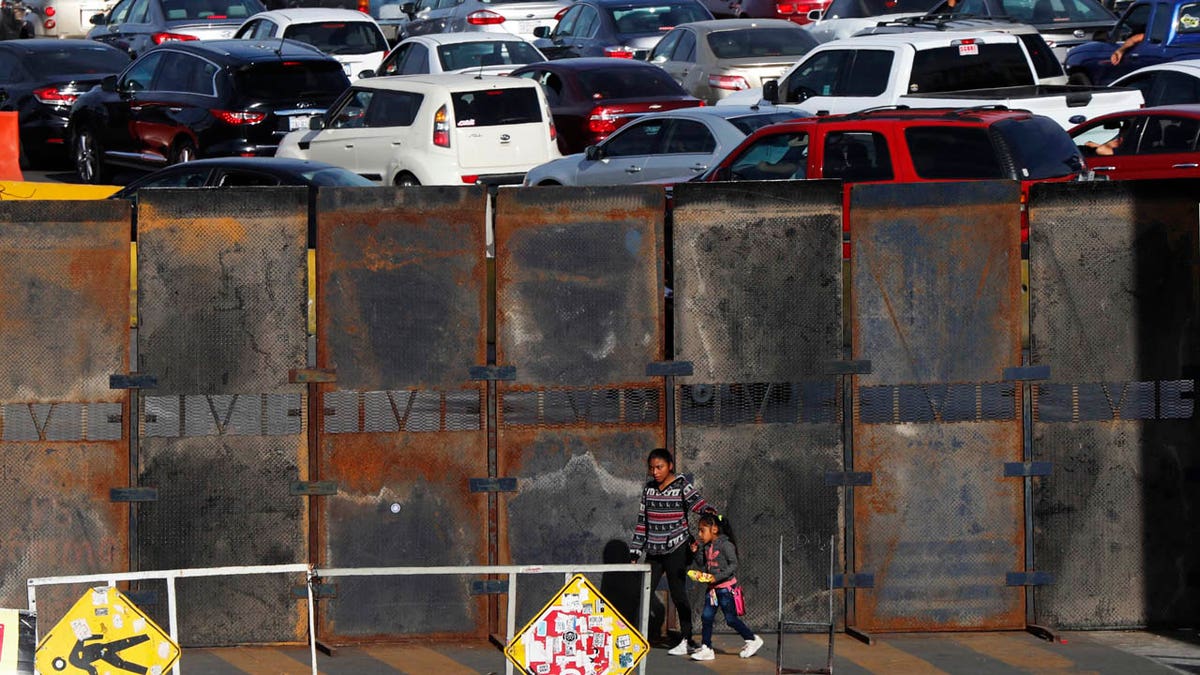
(403, 431)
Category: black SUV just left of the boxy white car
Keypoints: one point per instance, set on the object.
(209, 99)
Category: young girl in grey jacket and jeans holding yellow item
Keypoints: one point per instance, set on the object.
(717, 559)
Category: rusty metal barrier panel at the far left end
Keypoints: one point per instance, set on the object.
(64, 325)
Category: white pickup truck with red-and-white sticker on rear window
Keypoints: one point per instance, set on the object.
(944, 70)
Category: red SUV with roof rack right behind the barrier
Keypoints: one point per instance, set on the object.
(909, 146)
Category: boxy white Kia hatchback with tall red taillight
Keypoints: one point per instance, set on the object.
(433, 130)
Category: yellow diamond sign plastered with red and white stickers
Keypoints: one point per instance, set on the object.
(578, 634)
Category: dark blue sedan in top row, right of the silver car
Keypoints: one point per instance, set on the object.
(626, 29)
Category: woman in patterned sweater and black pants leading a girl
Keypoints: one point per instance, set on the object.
(663, 534)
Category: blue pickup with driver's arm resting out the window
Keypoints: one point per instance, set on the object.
(1171, 31)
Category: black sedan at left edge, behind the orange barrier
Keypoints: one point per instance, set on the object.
(41, 79)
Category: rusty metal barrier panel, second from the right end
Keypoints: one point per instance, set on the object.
(935, 309)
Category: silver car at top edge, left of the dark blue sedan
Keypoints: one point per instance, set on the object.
(517, 17)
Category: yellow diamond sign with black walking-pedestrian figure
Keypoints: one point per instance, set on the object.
(105, 634)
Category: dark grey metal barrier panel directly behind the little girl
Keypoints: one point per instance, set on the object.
(759, 314)
